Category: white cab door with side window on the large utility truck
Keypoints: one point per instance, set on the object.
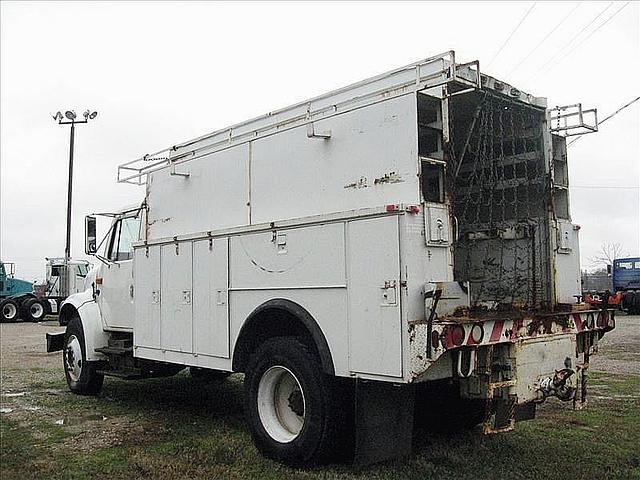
(116, 291)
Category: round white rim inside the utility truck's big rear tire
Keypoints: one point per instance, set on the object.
(281, 404)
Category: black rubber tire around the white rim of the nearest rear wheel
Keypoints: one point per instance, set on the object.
(321, 437)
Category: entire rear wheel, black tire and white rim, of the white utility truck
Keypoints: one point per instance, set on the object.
(291, 405)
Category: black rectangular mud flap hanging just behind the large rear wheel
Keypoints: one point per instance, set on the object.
(384, 421)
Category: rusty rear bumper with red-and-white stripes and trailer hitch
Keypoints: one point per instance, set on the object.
(511, 362)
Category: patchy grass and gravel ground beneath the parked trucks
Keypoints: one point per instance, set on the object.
(174, 428)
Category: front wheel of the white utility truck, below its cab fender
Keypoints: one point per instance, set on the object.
(82, 376)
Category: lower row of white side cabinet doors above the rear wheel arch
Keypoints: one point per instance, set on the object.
(307, 264)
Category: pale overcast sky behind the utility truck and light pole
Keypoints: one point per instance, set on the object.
(161, 73)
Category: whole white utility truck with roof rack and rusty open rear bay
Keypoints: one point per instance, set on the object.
(397, 250)
